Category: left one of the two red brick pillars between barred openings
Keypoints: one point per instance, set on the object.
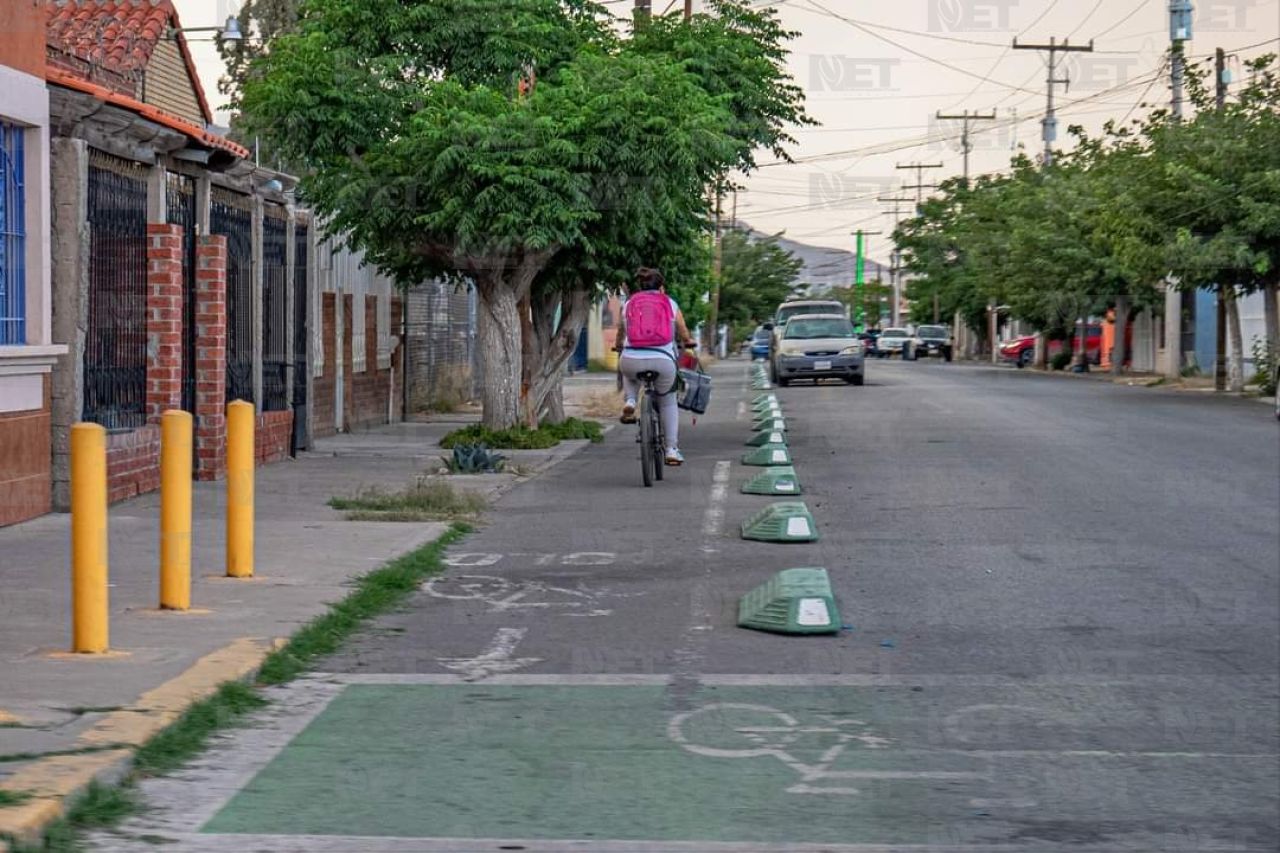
(164, 320)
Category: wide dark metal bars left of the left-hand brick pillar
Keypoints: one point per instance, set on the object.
(116, 341)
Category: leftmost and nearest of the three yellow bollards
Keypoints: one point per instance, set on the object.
(89, 540)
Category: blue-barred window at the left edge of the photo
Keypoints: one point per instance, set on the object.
(13, 236)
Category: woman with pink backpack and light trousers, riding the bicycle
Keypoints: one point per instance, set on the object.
(651, 325)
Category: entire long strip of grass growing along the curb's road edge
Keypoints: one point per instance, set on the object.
(376, 592)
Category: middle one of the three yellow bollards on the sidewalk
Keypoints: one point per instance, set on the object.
(176, 430)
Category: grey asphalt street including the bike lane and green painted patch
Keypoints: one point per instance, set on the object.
(1060, 606)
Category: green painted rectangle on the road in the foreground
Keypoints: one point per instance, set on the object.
(743, 764)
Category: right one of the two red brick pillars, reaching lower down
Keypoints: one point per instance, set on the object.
(211, 357)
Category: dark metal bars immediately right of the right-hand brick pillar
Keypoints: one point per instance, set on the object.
(231, 215)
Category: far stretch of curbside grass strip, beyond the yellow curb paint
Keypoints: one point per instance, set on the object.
(376, 594)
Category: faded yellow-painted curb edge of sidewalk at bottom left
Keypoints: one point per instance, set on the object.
(56, 783)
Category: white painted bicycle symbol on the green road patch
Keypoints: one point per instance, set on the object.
(742, 731)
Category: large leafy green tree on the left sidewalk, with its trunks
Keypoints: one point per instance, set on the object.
(520, 145)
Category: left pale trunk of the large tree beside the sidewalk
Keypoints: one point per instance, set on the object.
(499, 336)
